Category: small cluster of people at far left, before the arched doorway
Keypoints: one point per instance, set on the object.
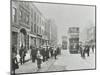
(14, 58)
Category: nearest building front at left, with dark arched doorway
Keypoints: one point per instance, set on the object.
(20, 25)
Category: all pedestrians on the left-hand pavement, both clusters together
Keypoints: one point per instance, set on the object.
(39, 54)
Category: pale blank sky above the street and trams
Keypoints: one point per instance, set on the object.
(66, 16)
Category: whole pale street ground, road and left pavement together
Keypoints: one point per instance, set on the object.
(65, 61)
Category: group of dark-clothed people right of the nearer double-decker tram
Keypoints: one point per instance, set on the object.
(85, 50)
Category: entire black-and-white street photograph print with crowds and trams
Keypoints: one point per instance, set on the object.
(43, 40)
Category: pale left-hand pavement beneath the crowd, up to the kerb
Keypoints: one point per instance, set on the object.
(29, 66)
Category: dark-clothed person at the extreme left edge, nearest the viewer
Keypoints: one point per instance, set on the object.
(14, 63)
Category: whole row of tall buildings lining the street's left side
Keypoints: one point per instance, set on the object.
(28, 26)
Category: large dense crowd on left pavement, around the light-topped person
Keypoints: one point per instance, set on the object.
(43, 53)
